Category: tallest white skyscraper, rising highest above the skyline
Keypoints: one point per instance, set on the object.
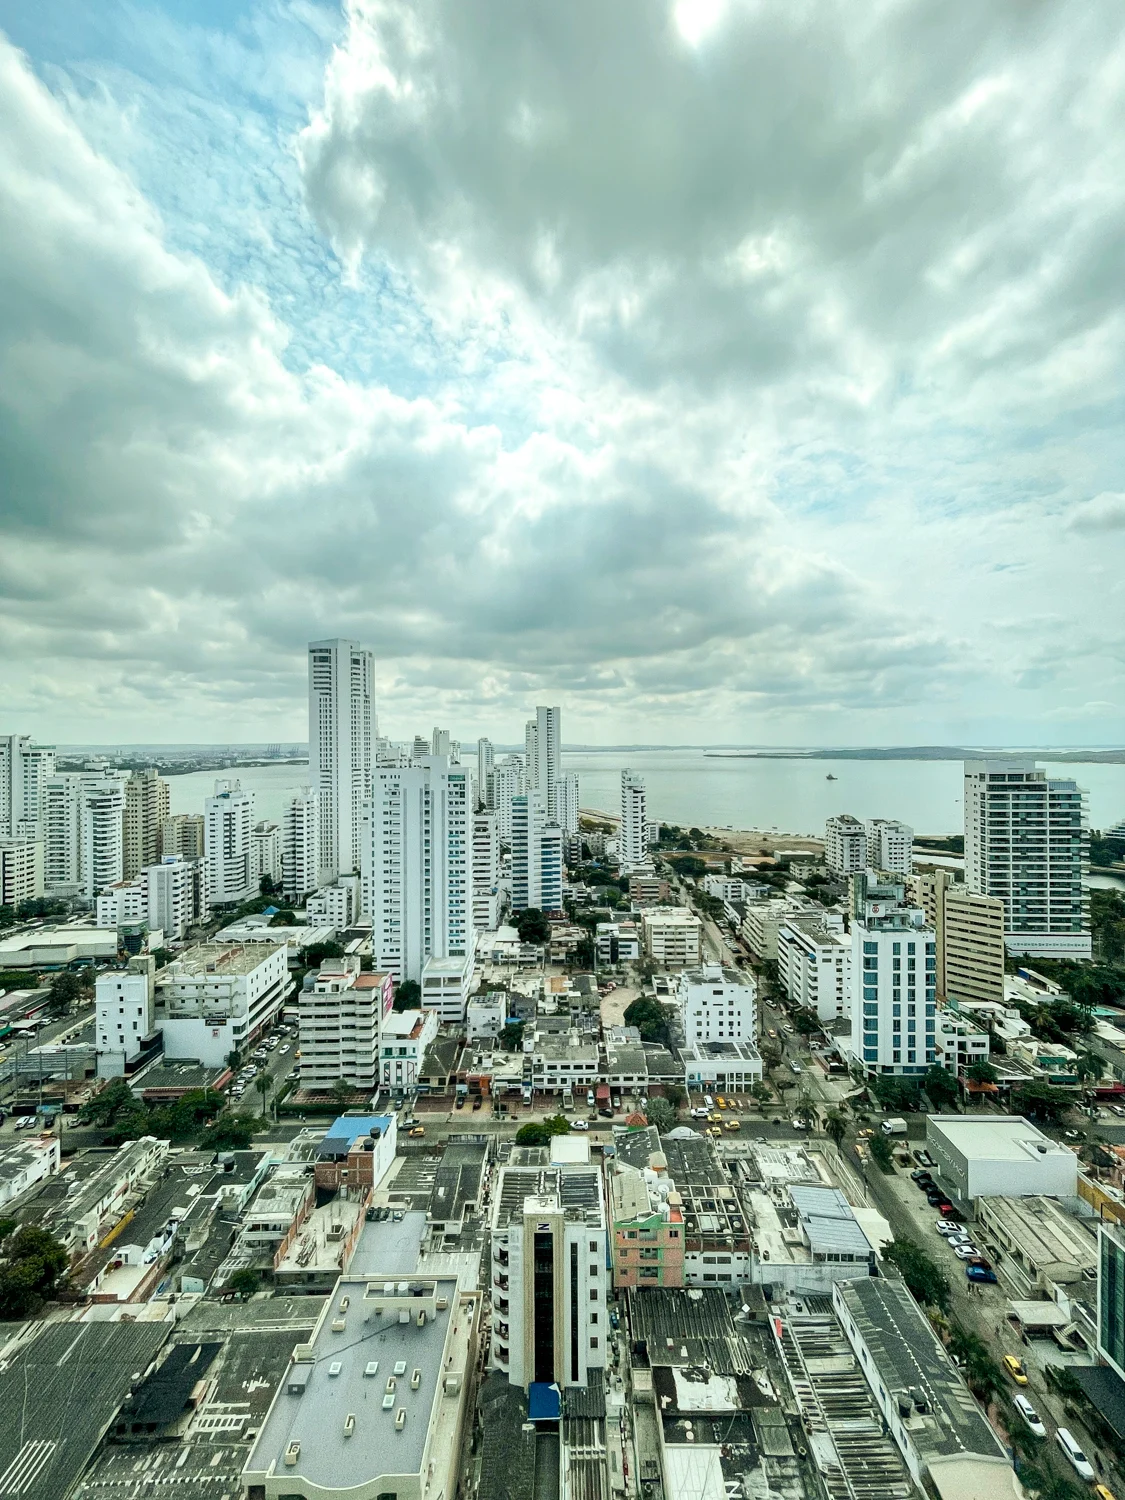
(341, 748)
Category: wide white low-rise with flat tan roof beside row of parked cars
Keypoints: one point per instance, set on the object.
(217, 998)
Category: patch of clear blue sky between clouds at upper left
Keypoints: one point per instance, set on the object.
(202, 104)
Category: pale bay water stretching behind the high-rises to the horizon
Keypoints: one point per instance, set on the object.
(694, 788)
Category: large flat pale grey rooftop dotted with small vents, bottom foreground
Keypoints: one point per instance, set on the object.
(311, 1412)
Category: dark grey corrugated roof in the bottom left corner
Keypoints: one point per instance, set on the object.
(83, 1370)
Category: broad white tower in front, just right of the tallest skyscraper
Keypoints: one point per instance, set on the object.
(418, 866)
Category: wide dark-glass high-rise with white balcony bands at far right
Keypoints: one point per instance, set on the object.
(1027, 842)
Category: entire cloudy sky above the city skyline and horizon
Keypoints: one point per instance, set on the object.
(721, 370)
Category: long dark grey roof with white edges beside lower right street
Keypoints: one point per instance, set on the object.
(908, 1358)
